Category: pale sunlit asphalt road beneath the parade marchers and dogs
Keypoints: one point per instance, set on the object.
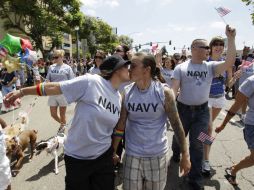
(228, 148)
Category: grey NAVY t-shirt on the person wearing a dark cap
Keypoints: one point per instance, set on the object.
(96, 114)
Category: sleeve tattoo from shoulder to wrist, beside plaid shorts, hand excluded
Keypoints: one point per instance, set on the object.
(171, 110)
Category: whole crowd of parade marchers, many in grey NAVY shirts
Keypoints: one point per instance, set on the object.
(135, 96)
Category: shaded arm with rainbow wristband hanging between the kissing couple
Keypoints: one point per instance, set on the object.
(120, 126)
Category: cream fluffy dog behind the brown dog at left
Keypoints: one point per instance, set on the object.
(15, 129)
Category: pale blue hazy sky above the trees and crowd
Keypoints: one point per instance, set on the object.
(178, 20)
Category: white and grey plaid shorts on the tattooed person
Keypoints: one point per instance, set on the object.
(145, 173)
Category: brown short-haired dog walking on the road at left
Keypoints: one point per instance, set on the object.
(17, 145)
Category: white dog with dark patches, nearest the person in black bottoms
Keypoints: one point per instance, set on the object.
(52, 145)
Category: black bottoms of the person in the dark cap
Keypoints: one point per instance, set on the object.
(97, 174)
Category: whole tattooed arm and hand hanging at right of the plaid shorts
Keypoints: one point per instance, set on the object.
(171, 110)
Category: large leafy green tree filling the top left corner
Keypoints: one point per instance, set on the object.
(38, 18)
